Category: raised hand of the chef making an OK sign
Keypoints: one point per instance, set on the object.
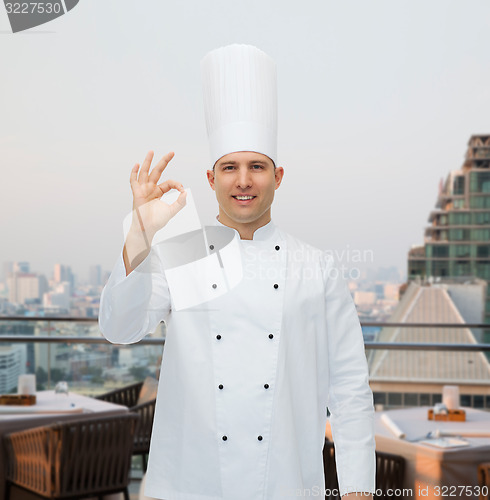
(150, 213)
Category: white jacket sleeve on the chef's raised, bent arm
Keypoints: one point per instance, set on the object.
(132, 306)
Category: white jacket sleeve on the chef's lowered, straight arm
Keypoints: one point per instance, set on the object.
(350, 397)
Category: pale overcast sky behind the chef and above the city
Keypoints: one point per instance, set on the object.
(377, 101)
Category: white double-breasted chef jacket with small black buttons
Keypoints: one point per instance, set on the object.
(246, 378)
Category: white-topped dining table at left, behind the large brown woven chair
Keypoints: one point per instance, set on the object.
(50, 407)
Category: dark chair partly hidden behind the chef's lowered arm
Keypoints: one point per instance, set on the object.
(390, 471)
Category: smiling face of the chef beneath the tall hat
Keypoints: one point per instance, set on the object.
(244, 183)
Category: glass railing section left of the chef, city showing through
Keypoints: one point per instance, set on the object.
(73, 350)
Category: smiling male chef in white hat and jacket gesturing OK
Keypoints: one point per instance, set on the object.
(262, 333)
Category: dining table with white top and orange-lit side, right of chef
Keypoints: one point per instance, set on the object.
(441, 457)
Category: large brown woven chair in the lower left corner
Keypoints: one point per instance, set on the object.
(71, 460)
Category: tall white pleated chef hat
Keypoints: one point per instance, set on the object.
(240, 101)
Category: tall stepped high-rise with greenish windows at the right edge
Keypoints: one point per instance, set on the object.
(457, 243)
